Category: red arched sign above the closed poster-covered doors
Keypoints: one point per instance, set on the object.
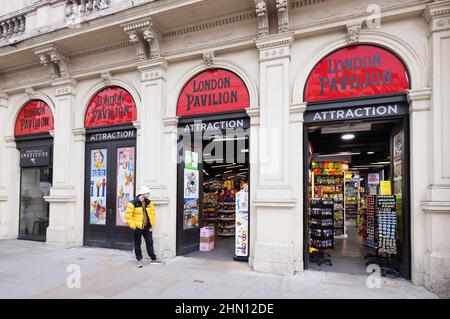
(111, 106)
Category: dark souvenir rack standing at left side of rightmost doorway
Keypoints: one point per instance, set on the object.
(321, 229)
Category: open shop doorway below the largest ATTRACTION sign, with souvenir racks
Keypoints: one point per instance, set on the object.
(358, 197)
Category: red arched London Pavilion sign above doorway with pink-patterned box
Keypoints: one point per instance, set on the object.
(213, 91)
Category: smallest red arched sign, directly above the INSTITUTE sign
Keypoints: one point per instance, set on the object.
(35, 117)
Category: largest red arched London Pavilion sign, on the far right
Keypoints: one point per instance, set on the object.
(356, 71)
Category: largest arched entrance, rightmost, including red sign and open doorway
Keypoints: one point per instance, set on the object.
(356, 146)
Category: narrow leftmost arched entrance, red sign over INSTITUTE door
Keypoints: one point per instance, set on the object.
(32, 132)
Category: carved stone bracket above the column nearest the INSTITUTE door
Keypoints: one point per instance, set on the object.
(55, 59)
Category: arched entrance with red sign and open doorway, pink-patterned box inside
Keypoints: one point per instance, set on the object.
(213, 166)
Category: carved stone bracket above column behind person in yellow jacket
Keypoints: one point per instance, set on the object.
(147, 38)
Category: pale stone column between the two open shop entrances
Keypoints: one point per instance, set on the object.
(275, 206)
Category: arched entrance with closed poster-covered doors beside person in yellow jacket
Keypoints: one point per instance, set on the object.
(110, 167)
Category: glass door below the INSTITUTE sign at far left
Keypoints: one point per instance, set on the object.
(34, 210)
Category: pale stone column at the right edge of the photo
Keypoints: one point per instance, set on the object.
(437, 208)
